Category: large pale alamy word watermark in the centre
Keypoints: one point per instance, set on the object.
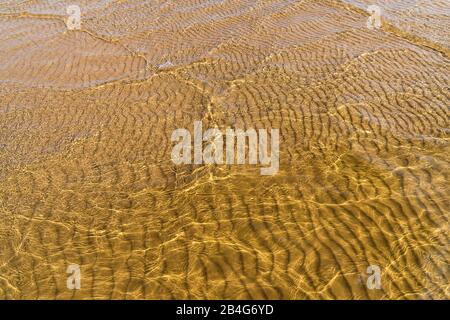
(233, 141)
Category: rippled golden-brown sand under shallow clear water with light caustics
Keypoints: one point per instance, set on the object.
(92, 205)
